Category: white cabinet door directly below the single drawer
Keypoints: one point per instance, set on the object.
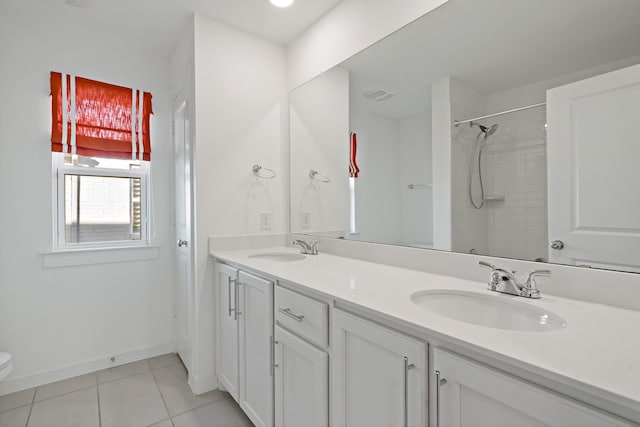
(302, 382)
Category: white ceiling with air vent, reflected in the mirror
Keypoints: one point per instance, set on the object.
(494, 46)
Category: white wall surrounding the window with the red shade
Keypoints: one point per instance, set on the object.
(60, 322)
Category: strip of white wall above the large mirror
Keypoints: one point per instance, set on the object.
(347, 29)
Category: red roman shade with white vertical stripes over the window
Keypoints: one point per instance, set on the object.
(104, 121)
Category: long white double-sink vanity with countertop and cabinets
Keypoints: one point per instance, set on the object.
(325, 340)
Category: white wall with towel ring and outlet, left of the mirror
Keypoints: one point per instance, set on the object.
(241, 117)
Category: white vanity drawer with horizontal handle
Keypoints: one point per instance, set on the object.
(304, 316)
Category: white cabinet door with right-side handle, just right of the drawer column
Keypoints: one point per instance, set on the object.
(378, 375)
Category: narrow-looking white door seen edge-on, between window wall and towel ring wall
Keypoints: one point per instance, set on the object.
(183, 290)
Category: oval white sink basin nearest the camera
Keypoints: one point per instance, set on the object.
(488, 310)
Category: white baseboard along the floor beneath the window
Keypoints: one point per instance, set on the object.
(12, 385)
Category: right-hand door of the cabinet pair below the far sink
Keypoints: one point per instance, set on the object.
(256, 331)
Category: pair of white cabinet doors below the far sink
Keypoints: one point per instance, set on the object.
(245, 306)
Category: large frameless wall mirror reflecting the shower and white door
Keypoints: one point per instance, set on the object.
(493, 127)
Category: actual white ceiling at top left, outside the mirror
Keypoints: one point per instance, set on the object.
(157, 24)
